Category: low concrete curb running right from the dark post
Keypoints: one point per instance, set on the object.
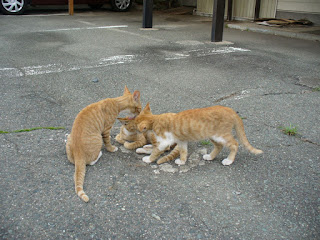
(305, 36)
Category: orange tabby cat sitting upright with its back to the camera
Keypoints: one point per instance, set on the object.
(91, 129)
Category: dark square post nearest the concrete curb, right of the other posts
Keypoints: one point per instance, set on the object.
(217, 20)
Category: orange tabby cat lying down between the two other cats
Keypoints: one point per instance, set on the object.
(131, 138)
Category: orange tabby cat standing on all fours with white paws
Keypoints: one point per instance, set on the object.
(215, 123)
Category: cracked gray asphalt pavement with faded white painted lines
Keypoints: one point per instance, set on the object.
(54, 65)
